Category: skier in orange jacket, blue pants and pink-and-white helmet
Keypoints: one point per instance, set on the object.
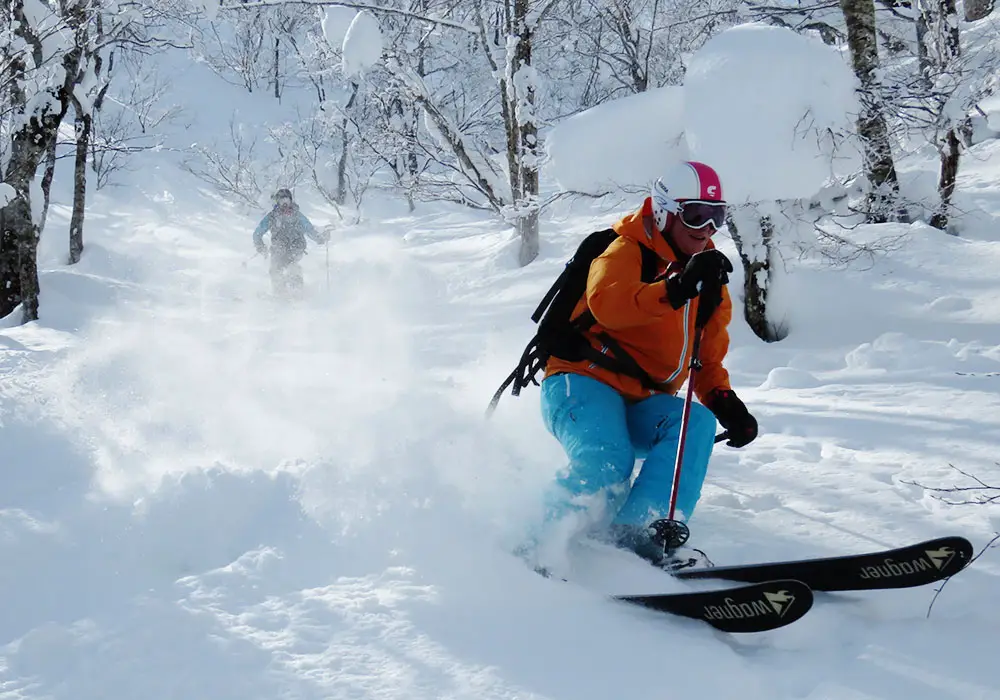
(610, 395)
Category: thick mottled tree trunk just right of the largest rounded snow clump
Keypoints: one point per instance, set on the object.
(859, 16)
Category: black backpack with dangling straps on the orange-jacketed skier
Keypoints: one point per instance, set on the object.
(561, 336)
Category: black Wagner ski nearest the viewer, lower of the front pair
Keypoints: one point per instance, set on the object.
(757, 607)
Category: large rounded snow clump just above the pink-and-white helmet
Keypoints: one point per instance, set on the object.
(760, 105)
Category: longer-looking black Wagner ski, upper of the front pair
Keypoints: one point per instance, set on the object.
(915, 565)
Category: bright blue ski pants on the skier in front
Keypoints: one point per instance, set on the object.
(603, 434)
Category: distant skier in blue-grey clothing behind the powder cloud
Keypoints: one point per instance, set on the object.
(289, 228)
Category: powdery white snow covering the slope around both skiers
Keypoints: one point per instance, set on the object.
(208, 494)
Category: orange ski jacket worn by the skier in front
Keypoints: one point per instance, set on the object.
(636, 315)
